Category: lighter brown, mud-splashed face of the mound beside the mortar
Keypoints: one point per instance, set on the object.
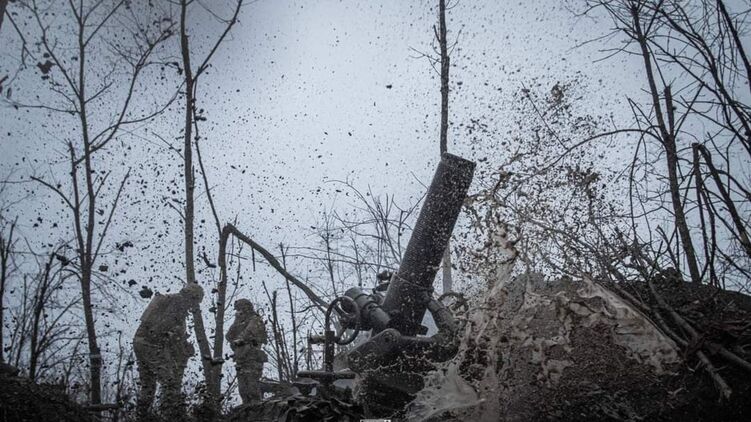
(531, 347)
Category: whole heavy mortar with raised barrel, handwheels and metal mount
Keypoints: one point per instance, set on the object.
(397, 353)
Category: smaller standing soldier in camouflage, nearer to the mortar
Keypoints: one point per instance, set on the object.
(246, 336)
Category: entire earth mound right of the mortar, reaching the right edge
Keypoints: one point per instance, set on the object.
(569, 350)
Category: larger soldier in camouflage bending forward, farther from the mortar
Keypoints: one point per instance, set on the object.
(162, 349)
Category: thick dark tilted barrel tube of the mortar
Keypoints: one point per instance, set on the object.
(409, 291)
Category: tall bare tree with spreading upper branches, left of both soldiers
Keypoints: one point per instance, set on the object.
(83, 67)
